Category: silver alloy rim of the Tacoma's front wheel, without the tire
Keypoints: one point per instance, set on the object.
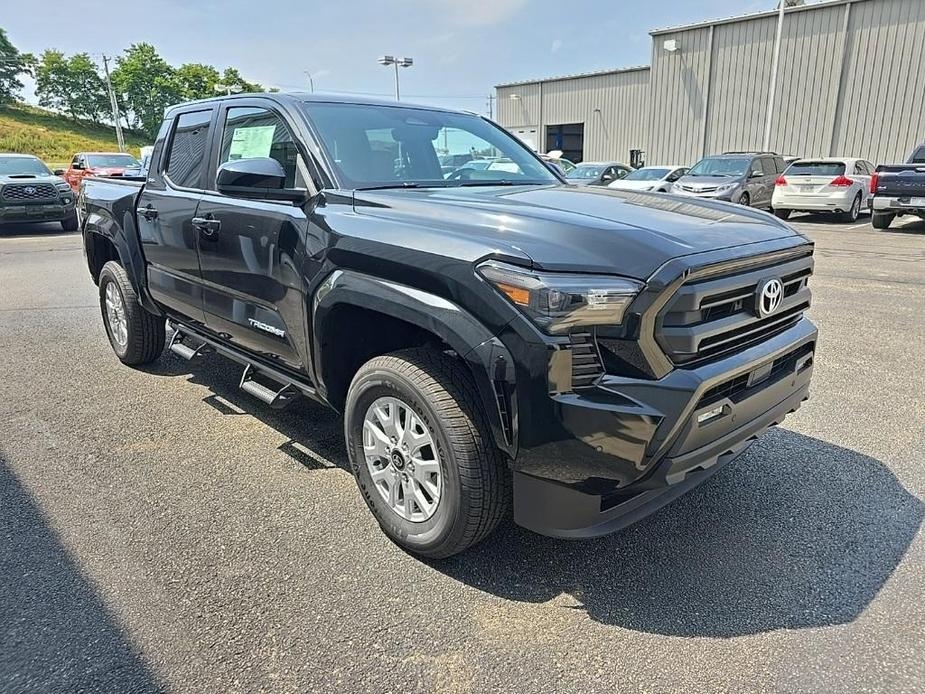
(401, 457)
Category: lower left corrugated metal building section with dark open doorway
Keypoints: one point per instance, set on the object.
(613, 108)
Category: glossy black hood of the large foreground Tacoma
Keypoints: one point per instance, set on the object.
(566, 228)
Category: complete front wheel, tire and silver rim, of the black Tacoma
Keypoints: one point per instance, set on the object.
(422, 452)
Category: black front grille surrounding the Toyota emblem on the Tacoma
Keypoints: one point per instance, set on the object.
(714, 314)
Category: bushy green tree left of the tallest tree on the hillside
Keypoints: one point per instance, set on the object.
(72, 85)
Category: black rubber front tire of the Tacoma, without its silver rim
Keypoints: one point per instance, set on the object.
(476, 481)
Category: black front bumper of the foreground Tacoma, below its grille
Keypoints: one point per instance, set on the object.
(638, 444)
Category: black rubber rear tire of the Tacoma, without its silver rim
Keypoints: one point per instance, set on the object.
(146, 332)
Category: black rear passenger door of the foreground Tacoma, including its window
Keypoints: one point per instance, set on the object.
(166, 208)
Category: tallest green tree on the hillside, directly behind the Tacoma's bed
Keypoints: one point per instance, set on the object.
(147, 85)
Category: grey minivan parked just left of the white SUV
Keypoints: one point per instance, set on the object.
(746, 178)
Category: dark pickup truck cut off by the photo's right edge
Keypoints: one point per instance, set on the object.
(897, 190)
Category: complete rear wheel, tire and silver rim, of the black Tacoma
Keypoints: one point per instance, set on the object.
(136, 336)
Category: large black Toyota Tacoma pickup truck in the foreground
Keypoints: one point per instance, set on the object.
(492, 336)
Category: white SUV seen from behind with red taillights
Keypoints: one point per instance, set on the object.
(839, 185)
